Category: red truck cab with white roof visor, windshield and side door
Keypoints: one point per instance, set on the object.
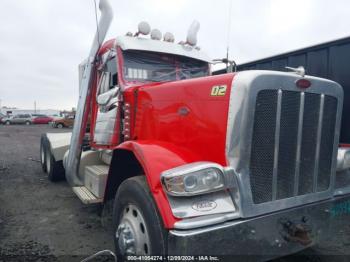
(124, 65)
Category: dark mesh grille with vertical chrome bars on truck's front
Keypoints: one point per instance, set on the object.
(292, 144)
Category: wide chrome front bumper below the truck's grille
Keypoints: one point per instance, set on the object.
(268, 236)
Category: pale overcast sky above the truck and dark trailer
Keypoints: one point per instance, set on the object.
(43, 41)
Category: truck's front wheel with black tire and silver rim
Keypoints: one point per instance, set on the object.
(138, 227)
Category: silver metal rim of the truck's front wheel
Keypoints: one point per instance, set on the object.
(132, 232)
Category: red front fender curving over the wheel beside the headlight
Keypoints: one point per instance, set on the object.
(156, 157)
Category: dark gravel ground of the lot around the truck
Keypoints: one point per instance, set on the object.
(45, 221)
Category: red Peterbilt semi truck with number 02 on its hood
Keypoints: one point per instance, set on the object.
(236, 164)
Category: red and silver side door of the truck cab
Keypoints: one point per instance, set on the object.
(108, 103)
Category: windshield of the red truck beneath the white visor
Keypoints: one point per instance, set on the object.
(157, 67)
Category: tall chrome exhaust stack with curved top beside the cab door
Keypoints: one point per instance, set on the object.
(81, 117)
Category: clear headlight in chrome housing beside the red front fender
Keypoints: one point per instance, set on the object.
(194, 179)
